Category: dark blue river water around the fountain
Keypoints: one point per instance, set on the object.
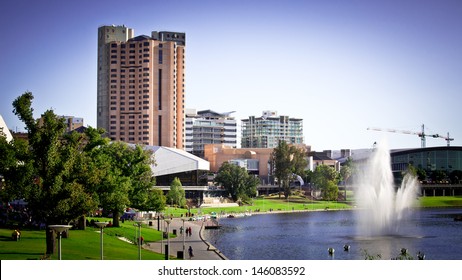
(308, 235)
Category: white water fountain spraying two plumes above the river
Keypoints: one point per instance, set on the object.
(382, 207)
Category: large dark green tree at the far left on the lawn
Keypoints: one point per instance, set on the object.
(41, 170)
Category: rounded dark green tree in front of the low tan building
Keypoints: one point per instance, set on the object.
(237, 182)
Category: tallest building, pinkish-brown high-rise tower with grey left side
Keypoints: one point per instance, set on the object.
(141, 86)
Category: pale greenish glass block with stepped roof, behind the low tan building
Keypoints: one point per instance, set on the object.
(266, 131)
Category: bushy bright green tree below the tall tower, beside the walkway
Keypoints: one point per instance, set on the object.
(120, 175)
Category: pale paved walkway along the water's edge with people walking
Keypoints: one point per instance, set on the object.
(202, 250)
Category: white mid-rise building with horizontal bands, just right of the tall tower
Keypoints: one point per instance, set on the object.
(209, 127)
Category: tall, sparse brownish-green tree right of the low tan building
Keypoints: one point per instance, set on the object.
(287, 161)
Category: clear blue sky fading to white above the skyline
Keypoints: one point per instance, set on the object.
(341, 66)
